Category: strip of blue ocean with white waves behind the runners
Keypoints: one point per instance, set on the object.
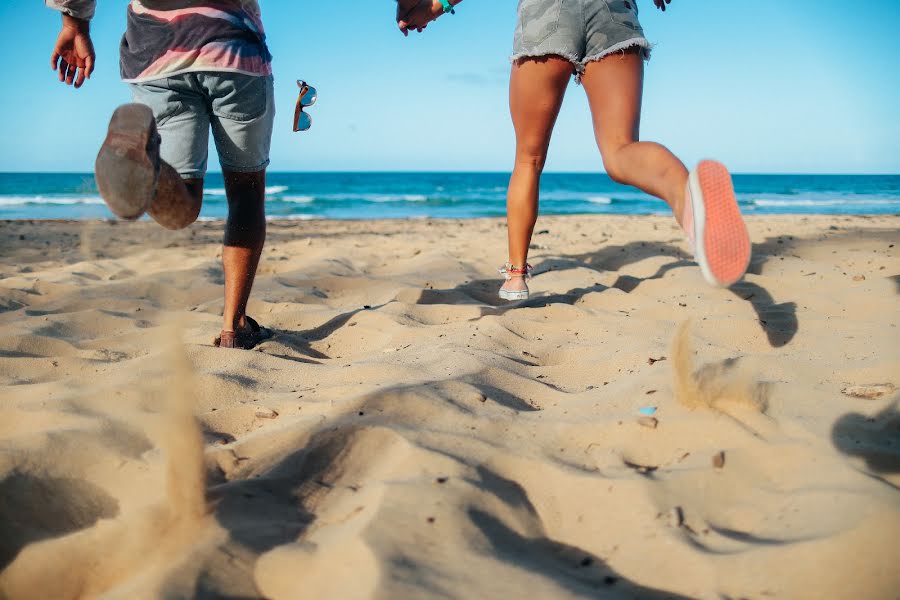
(456, 195)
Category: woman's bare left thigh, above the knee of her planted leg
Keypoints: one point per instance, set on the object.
(536, 90)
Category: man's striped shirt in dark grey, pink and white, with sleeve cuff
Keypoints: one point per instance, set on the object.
(165, 38)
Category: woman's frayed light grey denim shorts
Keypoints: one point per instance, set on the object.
(579, 30)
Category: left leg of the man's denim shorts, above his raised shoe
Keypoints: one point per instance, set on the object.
(182, 120)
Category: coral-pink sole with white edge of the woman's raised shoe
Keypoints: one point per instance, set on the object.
(722, 242)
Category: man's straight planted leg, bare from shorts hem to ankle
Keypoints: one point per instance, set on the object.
(245, 235)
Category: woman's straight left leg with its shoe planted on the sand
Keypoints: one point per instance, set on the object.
(536, 90)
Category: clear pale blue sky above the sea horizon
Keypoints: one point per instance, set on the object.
(767, 86)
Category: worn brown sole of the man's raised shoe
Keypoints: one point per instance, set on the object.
(125, 173)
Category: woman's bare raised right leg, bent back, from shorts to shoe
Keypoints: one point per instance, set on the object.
(614, 87)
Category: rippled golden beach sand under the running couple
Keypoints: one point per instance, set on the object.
(406, 436)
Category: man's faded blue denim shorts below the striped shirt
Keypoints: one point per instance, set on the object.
(239, 108)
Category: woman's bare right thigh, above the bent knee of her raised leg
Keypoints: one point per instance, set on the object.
(614, 87)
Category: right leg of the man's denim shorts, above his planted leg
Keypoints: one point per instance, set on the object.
(243, 115)
